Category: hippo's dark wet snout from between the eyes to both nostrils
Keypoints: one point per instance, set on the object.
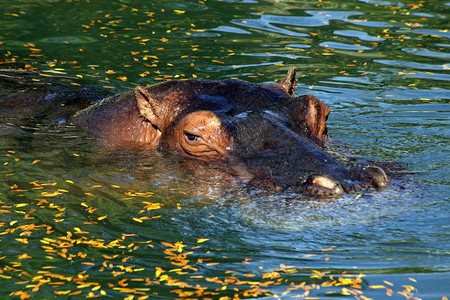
(281, 159)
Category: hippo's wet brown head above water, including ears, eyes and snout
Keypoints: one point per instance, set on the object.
(263, 133)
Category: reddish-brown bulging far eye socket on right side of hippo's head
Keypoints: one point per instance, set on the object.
(309, 116)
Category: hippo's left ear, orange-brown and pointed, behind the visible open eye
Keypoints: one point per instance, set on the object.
(149, 106)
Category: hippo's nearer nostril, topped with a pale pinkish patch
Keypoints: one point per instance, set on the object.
(323, 187)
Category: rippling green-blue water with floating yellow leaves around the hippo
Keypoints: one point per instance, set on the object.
(79, 221)
